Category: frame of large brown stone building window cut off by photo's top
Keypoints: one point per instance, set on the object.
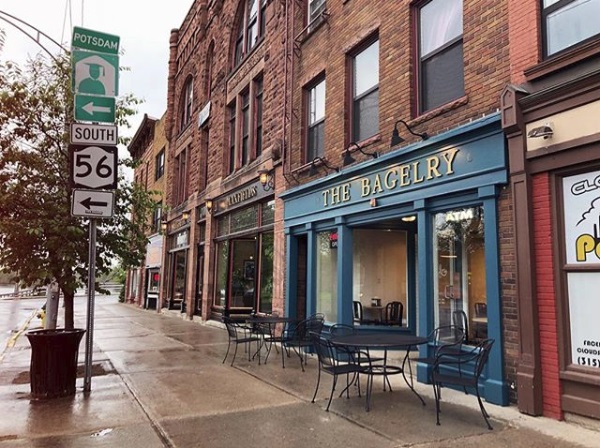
(242, 46)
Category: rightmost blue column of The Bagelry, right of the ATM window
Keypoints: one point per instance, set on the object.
(496, 388)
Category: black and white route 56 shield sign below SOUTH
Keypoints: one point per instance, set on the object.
(93, 167)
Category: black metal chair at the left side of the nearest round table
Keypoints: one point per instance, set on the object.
(332, 363)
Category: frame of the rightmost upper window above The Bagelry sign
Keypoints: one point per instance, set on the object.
(421, 60)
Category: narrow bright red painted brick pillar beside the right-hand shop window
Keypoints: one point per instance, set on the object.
(546, 295)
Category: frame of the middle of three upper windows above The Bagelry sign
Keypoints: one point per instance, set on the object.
(354, 124)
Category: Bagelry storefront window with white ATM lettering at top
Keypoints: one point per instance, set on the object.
(459, 271)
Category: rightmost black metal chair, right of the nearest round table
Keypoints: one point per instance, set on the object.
(462, 370)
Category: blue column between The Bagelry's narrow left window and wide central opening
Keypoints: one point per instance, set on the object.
(344, 280)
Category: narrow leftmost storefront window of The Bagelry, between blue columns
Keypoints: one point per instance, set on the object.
(327, 275)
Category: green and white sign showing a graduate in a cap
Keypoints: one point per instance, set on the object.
(95, 73)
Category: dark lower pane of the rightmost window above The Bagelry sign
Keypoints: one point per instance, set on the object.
(442, 77)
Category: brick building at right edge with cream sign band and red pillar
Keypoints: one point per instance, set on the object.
(549, 116)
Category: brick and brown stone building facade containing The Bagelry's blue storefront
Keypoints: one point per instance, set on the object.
(285, 193)
